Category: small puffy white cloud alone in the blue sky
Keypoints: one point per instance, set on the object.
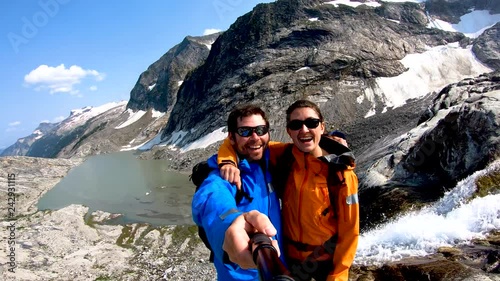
(60, 79)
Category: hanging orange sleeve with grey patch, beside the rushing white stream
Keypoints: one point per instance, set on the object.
(348, 227)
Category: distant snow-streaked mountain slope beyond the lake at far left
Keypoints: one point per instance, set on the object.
(90, 131)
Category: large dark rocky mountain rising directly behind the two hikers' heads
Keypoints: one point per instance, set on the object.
(333, 55)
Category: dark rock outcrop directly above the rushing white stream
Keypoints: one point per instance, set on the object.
(456, 136)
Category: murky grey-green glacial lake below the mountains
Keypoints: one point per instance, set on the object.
(140, 190)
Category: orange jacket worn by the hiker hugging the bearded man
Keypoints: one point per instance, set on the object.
(304, 202)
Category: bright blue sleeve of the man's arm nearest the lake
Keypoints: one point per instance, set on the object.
(214, 208)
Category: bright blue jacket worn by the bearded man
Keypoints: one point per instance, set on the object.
(214, 207)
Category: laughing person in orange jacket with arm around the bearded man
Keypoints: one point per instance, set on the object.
(320, 215)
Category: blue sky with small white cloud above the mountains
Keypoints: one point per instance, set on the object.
(59, 55)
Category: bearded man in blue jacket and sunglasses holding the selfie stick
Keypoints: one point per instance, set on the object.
(218, 204)
